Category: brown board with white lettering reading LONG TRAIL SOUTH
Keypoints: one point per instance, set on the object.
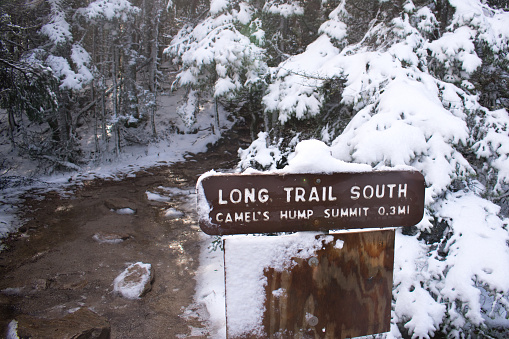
(273, 203)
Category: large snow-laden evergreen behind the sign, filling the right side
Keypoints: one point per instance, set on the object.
(410, 93)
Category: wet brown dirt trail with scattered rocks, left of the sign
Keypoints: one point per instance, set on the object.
(54, 265)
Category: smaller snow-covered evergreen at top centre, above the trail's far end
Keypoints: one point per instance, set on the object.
(220, 56)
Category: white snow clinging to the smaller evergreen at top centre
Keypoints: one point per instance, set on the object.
(217, 42)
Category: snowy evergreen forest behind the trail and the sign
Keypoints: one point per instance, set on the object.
(419, 83)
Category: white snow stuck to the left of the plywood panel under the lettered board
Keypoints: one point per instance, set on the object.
(246, 259)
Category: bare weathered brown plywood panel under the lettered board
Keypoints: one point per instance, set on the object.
(344, 292)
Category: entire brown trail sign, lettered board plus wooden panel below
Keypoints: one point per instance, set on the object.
(341, 291)
